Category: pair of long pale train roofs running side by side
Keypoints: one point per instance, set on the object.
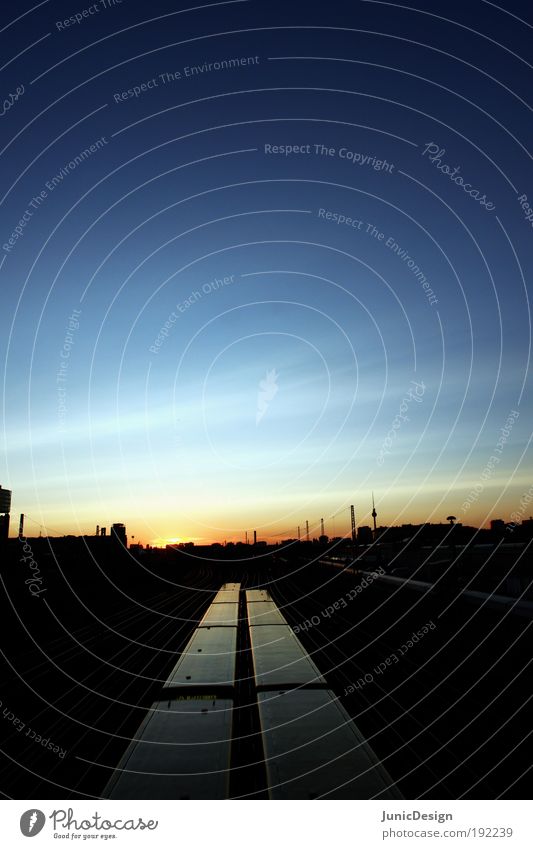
(301, 742)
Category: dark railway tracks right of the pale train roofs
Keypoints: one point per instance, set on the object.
(430, 714)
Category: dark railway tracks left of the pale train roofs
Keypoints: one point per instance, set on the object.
(83, 688)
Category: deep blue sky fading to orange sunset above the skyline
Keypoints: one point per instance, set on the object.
(262, 260)
